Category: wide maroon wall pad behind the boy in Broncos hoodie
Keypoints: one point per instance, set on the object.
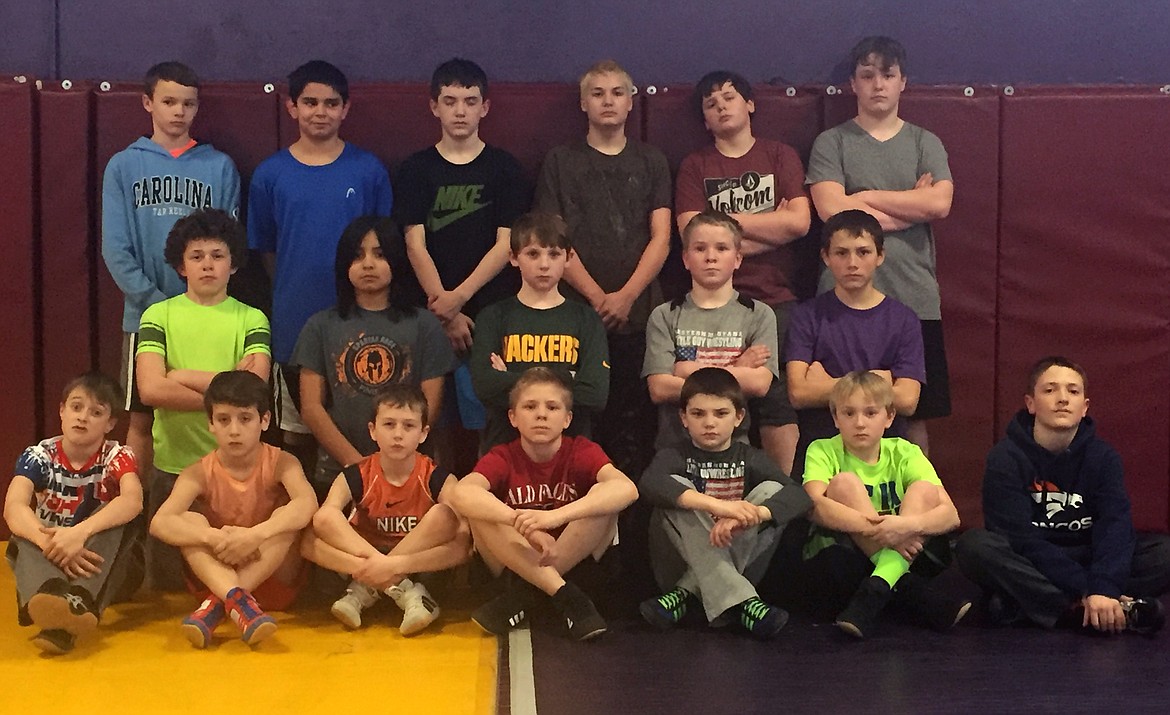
(1084, 266)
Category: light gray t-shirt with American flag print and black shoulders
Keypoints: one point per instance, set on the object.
(711, 336)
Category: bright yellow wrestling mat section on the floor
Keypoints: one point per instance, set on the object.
(139, 662)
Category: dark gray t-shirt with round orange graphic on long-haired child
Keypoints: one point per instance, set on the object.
(363, 354)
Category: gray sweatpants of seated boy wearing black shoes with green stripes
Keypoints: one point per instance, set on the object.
(683, 555)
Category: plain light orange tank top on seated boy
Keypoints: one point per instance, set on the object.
(230, 501)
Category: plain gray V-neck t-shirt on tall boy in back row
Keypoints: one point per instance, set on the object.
(849, 156)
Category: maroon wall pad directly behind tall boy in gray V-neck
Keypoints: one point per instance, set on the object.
(967, 243)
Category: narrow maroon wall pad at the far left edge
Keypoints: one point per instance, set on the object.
(18, 328)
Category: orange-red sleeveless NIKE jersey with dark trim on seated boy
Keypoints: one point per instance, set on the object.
(386, 513)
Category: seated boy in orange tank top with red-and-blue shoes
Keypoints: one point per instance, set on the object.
(237, 514)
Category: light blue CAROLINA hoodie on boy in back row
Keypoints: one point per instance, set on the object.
(144, 192)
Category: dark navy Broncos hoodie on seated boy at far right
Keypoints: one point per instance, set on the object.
(1052, 505)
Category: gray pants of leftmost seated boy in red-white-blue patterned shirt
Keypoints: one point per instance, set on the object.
(121, 573)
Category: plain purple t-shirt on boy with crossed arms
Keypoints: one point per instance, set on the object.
(887, 336)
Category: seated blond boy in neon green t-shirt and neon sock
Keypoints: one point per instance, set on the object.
(877, 501)
